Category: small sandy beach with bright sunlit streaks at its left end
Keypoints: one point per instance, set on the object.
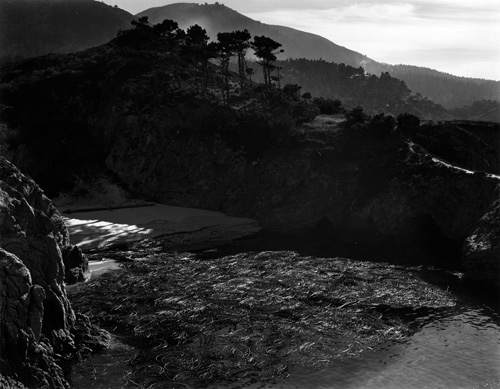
(101, 228)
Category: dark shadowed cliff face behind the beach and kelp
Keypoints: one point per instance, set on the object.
(363, 189)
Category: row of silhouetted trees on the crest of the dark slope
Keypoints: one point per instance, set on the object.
(195, 47)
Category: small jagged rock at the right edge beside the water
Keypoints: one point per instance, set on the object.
(482, 250)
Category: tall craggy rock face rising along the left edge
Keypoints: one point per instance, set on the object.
(36, 318)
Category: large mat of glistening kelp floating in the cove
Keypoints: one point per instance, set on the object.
(201, 319)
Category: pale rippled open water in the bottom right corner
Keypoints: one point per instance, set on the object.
(457, 349)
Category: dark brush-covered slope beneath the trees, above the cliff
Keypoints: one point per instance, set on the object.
(52, 106)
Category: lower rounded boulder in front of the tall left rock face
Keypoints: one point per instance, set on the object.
(25, 353)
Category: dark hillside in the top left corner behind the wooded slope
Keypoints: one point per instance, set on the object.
(29, 28)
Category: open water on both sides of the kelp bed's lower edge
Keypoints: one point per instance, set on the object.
(454, 348)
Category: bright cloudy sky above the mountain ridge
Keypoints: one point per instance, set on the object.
(460, 37)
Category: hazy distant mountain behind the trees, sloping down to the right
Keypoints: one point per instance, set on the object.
(442, 88)
